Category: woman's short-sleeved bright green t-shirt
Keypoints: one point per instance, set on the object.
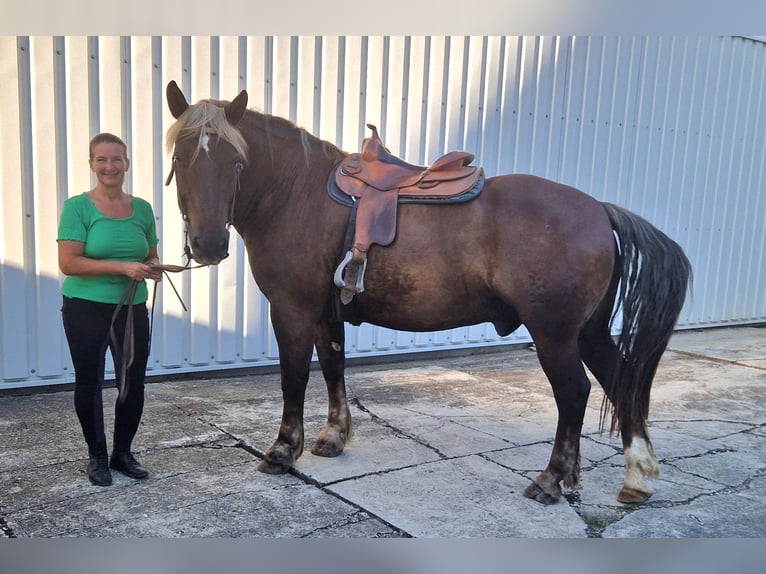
(106, 238)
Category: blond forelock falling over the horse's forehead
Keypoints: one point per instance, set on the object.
(200, 119)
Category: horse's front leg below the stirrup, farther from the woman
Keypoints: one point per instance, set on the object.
(329, 342)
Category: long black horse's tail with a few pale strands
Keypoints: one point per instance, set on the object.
(654, 275)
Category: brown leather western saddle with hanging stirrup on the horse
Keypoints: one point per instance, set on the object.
(374, 182)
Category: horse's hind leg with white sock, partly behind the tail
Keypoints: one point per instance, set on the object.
(602, 358)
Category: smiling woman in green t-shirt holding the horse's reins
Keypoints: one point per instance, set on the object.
(106, 240)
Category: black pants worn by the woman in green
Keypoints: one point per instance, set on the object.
(87, 324)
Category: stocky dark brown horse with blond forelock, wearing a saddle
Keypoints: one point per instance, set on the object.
(525, 251)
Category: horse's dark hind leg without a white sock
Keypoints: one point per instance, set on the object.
(562, 364)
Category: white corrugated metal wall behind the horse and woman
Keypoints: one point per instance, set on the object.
(672, 128)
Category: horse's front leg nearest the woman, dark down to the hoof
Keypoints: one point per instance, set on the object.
(295, 341)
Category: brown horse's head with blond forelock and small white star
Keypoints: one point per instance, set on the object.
(209, 154)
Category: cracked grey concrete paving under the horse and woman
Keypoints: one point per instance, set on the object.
(443, 447)
